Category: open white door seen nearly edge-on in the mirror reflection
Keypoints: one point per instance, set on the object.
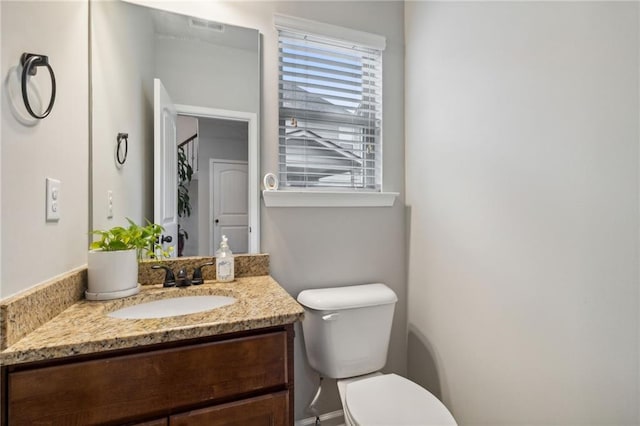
(165, 166)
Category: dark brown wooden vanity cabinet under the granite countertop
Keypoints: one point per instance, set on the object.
(237, 379)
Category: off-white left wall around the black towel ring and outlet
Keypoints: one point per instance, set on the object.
(57, 147)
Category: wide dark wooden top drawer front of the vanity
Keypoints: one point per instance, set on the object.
(120, 388)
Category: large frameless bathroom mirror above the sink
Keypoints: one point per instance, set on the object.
(211, 72)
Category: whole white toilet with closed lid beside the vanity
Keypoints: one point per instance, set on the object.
(346, 333)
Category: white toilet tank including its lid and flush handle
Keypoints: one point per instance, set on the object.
(346, 329)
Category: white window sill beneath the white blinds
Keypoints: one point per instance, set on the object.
(328, 199)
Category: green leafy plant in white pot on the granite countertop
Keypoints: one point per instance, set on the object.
(113, 259)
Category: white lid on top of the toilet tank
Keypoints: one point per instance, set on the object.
(357, 296)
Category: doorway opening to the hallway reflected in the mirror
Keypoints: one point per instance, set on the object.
(202, 141)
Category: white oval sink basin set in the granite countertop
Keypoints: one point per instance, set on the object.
(172, 307)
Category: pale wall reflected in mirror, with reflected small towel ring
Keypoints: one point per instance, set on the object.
(122, 102)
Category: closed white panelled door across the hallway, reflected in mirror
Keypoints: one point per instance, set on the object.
(230, 198)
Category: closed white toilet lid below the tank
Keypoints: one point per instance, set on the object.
(393, 400)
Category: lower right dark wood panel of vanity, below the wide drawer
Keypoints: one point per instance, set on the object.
(266, 410)
